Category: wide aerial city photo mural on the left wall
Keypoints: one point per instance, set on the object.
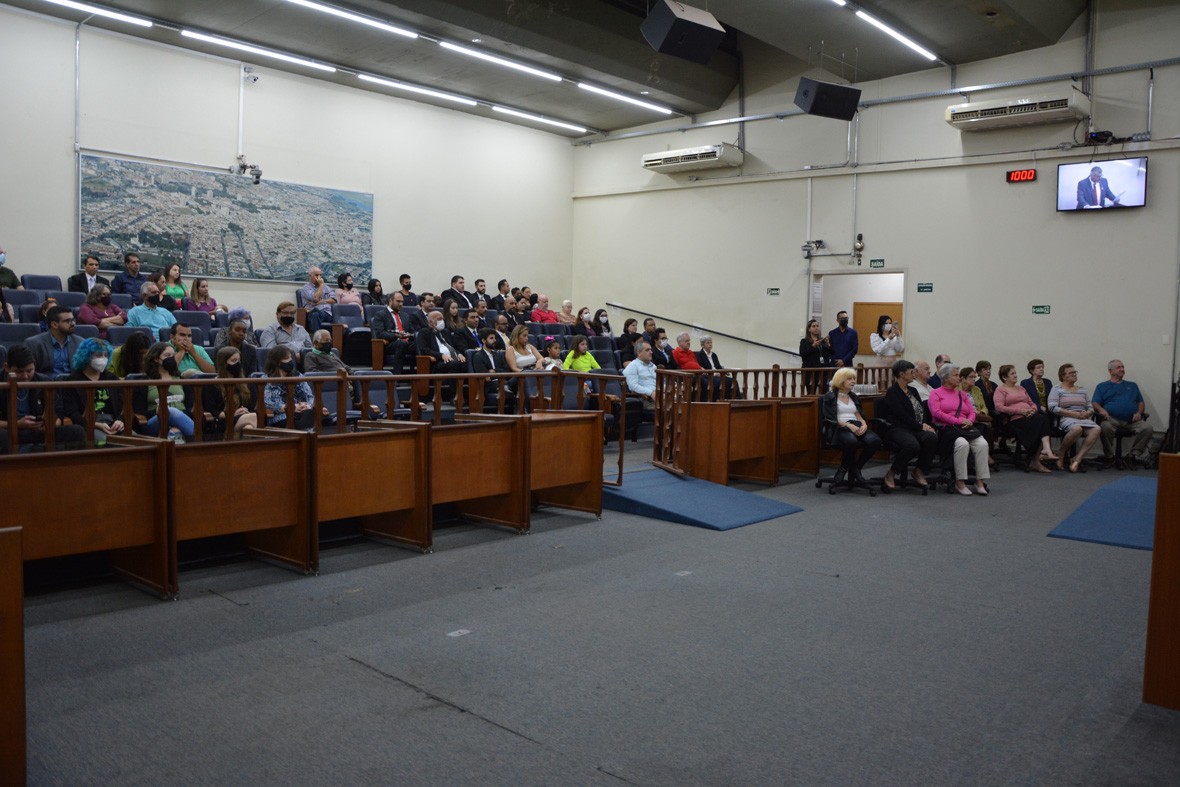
(220, 225)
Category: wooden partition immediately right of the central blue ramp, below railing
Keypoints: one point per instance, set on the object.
(733, 441)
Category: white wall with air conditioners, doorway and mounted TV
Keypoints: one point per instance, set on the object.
(930, 200)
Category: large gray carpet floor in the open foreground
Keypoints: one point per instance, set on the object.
(890, 641)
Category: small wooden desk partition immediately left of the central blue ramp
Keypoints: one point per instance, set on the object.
(566, 460)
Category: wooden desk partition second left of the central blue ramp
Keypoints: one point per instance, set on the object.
(481, 464)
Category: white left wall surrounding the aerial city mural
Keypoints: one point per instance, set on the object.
(454, 194)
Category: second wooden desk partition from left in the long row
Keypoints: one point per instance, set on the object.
(261, 487)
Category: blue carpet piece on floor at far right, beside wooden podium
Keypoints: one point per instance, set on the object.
(1122, 514)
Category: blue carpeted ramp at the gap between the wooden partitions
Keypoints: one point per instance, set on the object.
(660, 495)
